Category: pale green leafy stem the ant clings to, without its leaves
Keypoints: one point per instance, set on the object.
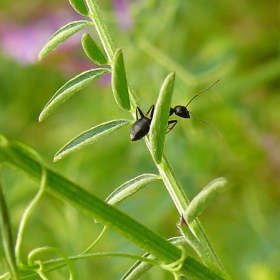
(173, 186)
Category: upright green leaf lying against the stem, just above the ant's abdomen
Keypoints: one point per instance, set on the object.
(119, 82)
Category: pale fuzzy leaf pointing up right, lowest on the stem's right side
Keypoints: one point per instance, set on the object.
(202, 200)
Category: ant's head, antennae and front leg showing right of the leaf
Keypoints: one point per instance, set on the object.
(183, 112)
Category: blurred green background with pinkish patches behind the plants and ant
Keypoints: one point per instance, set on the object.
(236, 41)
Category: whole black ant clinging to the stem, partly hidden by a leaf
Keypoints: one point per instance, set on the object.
(142, 125)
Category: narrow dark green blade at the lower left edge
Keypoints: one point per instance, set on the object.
(6, 235)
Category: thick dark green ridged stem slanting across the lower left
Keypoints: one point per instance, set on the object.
(90, 205)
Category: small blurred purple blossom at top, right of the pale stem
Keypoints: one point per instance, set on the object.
(123, 14)
